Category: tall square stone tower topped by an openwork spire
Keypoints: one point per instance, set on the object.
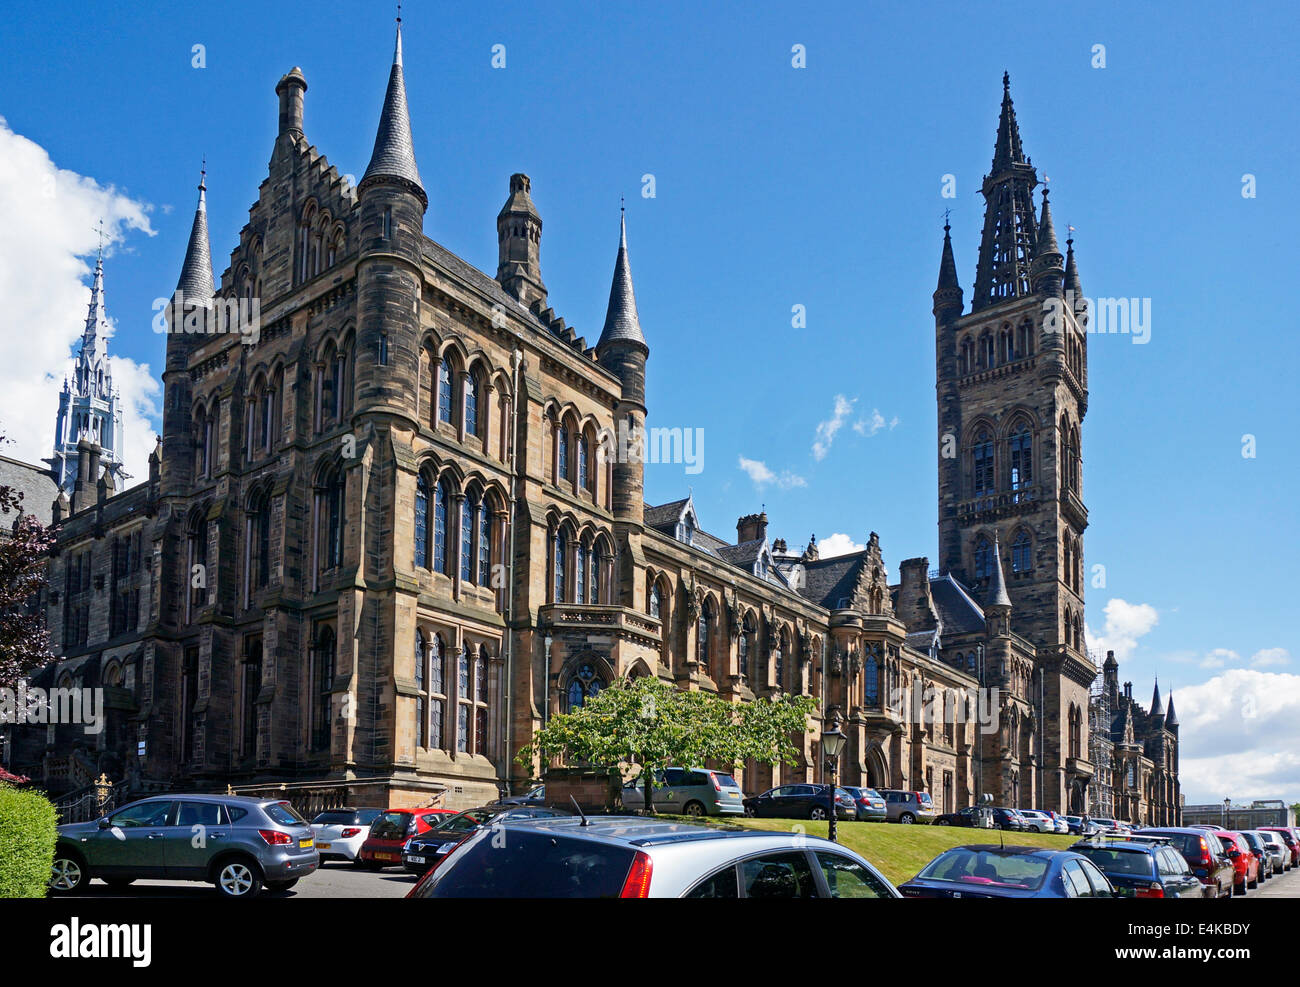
(1012, 391)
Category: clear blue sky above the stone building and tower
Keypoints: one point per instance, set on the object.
(779, 187)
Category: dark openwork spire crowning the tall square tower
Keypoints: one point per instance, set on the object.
(1011, 227)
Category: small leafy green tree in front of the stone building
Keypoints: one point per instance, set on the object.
(657, 726)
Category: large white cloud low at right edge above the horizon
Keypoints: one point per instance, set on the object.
(1241, 737)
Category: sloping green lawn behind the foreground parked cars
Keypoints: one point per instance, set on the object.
(899, 851)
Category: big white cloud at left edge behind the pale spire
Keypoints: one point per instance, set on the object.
(47, 246)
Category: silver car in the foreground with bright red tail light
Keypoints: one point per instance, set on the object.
(644, 858)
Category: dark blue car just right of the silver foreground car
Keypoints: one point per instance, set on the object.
(1008, 872)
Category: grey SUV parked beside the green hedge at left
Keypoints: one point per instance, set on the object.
(248, 845)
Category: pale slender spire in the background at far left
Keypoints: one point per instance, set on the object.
(89, 408)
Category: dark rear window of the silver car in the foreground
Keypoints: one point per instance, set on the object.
(532, 865)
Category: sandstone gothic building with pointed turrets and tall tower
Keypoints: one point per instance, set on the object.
(379, 546)
